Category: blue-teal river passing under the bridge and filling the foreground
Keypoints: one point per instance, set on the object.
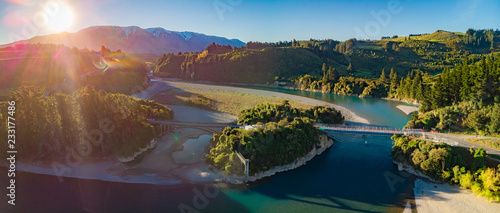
(356, 174)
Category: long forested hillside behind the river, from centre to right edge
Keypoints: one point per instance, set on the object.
(290, 60)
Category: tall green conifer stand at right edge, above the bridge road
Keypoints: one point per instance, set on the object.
(465, 97)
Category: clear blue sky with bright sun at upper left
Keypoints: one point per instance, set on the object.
(258, 20)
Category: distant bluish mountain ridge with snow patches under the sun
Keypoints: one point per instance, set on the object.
(134, 39)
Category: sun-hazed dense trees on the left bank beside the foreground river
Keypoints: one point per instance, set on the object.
(88, 122)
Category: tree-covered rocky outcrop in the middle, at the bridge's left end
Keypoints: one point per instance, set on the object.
(273, 141)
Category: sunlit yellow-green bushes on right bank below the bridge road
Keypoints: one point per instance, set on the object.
(457, 165)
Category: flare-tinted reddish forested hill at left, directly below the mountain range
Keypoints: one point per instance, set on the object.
(50, 66)
